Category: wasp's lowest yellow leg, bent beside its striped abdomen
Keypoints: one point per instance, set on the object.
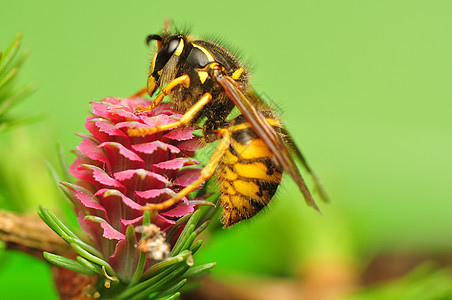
(206, 173)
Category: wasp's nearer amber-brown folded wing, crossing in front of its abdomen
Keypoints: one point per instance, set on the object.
(266, 132)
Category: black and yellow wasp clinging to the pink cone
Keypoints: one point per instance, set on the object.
(206, 82)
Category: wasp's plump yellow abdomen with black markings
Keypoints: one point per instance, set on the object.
(247, 175)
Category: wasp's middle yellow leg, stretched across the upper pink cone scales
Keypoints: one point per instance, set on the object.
(186, 118)
